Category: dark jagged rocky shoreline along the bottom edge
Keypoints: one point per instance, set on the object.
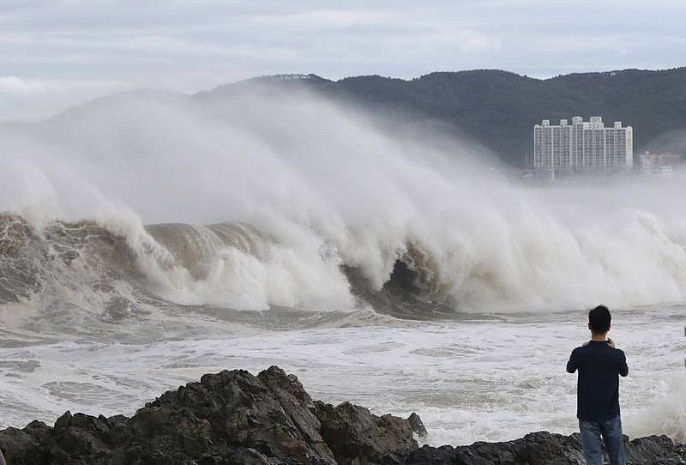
(234, 417)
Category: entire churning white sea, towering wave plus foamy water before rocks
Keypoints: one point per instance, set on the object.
(148, 239)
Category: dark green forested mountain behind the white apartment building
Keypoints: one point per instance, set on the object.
(498, 108)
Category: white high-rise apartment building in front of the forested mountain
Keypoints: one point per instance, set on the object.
(583, 146)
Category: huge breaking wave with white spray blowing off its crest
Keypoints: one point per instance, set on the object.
(260, 199)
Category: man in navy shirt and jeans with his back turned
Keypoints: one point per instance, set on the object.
(599, 364)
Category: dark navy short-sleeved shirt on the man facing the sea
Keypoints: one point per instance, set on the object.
(597, 395)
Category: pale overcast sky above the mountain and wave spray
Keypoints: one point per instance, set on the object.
(57, 53)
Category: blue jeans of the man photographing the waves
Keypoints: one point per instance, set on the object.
(611, 430)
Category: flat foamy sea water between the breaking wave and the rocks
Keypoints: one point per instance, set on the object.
(491, 377)
